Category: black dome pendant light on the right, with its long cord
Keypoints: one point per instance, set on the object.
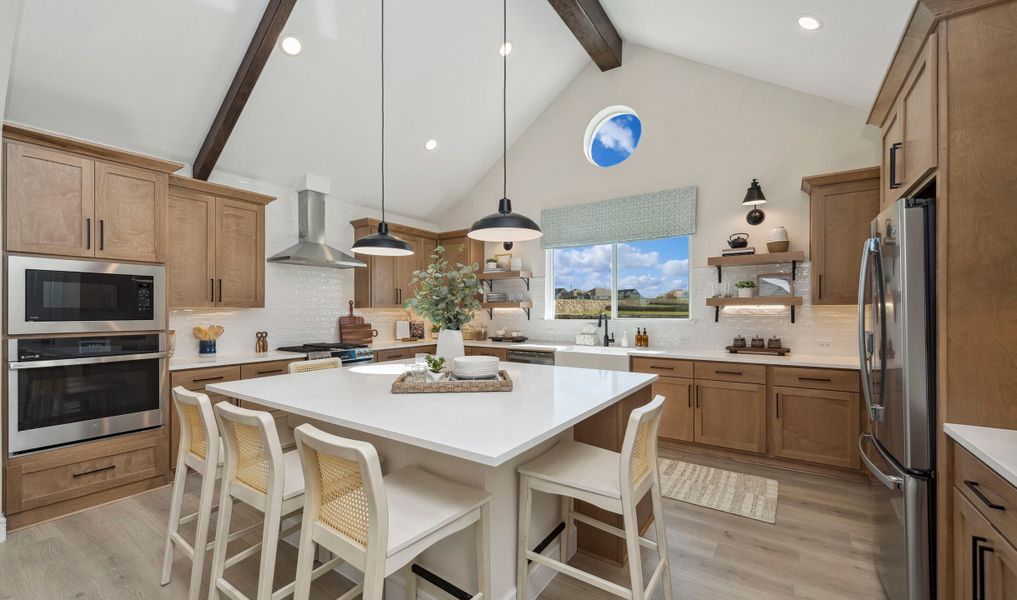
(505, 226)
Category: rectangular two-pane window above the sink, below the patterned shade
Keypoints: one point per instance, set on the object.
(646, 279)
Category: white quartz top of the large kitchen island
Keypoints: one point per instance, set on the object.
(490, 429)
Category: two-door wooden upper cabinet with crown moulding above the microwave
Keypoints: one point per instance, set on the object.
(70, 198)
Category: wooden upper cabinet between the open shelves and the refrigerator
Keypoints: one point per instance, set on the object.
(843, 207)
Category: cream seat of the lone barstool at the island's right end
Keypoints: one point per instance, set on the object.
(578, 465)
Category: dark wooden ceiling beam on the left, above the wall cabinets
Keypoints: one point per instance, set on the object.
(264, 42)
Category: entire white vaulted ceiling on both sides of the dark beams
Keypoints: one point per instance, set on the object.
(149, 76)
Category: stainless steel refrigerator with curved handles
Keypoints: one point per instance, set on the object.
(898, 348)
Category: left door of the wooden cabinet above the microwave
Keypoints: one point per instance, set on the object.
(50, 197)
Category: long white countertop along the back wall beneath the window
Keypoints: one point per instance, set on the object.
(791, 361)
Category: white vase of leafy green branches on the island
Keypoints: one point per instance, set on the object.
(448, 296)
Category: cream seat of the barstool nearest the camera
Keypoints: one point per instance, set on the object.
(422, 504)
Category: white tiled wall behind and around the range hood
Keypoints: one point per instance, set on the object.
(303, 304)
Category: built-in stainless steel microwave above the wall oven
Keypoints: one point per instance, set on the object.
(70, 296)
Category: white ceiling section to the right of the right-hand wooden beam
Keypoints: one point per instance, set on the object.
(845, 61)
